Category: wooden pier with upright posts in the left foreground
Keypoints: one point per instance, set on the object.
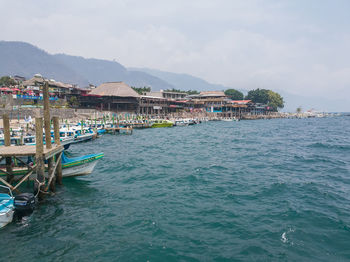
(51, 153)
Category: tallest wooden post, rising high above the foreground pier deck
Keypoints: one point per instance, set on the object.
(47, 126)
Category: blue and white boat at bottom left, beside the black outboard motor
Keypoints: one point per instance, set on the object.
(6, 207)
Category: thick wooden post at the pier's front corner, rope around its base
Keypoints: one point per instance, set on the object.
(39, 157)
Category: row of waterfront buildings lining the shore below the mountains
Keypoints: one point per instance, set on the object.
(119, 97)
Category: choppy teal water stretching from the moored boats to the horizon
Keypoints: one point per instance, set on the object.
(266, 190)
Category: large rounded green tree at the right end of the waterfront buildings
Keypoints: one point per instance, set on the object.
(265, 96)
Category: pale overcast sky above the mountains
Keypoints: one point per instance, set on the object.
(297, 46)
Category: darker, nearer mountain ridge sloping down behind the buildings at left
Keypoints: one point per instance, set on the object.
(20, 58)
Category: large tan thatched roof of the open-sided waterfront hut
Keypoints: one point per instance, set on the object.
(119, 89)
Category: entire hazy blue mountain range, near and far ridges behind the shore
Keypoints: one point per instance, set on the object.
(20, 58)
